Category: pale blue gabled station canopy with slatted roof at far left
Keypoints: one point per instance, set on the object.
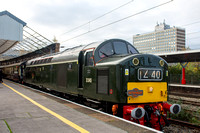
(17, 39)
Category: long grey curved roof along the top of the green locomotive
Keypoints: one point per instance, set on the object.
(71, 54)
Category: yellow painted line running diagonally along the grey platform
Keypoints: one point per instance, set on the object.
(80, 129)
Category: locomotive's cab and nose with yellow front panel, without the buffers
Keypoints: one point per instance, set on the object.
(117, 73)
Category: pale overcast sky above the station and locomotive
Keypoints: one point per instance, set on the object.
(56, 17)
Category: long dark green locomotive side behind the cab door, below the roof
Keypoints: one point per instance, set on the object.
(47, 76)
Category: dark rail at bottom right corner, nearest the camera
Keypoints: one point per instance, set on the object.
(184, 124)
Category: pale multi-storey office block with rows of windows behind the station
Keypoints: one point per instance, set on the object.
(163, 39)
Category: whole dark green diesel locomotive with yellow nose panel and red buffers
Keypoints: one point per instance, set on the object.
(112, 72)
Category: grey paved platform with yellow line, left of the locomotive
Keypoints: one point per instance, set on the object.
(23, 110)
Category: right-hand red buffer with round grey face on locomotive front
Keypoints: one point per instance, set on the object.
(174, 108)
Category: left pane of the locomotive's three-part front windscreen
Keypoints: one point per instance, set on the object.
(106, 50)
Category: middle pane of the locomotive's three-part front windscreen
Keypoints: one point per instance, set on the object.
(120, 48)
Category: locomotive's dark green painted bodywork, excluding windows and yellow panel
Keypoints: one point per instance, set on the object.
(65, 76)
